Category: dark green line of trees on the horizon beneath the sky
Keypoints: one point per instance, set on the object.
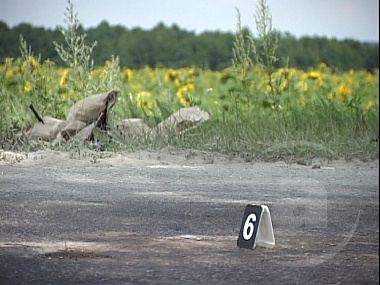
(173, 47)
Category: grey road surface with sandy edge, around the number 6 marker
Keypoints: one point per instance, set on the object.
(174, 217)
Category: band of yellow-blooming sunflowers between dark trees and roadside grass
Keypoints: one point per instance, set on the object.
(148, 92)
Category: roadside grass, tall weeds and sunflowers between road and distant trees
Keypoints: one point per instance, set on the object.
(259, 111)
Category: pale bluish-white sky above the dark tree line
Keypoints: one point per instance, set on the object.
(340, 19)
